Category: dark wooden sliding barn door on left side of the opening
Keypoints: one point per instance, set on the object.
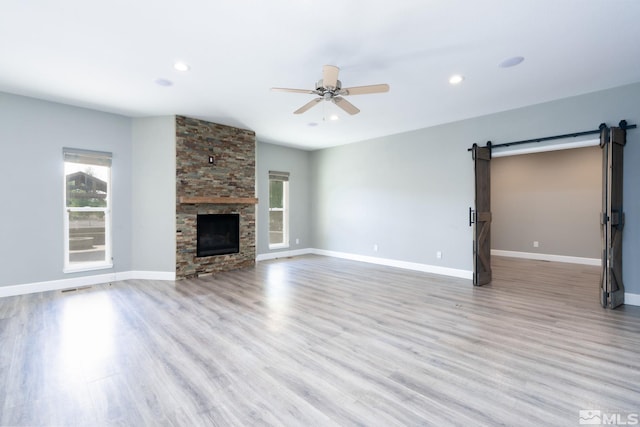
(481, 218)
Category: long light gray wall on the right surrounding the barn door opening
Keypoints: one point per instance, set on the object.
(410, 193)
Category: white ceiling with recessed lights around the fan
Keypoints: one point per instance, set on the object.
(107, 55)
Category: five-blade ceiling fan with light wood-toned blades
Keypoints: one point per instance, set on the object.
(330, 89)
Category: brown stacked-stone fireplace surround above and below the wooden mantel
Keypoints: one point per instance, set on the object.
(232, 175)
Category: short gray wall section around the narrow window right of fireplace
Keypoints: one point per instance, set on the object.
(296, 162)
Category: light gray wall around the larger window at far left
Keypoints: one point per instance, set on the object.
(32, 134)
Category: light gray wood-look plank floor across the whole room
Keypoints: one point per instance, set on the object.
(315, 341)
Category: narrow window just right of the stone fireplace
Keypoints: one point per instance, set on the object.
(278, 210)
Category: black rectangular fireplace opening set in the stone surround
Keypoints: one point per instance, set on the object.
(218, 234)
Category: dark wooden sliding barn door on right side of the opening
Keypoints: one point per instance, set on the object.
(612, 142)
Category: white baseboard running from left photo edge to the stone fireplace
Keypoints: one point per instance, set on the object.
(78, 282)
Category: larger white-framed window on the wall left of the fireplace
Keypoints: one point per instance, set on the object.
(87, 210)
